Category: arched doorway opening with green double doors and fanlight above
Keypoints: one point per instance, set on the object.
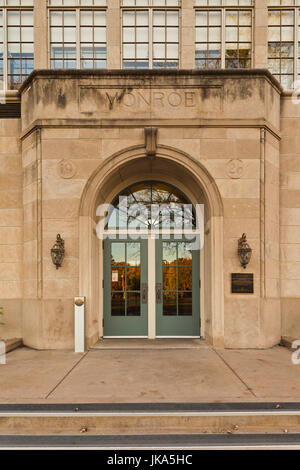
(151, 263)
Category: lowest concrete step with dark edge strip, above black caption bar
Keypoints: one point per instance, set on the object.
(157, 442)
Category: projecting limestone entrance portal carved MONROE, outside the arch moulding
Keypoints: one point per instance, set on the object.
(230, 126)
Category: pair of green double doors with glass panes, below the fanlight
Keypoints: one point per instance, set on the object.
(174, 299)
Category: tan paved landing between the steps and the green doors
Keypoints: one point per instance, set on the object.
(164, 371)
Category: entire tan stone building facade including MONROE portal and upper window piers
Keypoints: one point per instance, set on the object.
(227, 138)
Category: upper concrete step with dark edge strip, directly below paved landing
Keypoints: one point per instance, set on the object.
(149, 418)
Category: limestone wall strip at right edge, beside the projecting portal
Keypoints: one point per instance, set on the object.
(290, 217)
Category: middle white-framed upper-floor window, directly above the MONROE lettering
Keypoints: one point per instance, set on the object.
(150, 9)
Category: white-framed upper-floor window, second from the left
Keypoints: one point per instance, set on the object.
(77, 8)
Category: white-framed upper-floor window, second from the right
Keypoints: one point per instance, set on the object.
(223, 9)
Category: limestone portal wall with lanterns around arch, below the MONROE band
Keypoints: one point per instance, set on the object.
(233, 156)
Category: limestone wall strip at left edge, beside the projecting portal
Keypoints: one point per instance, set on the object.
(11, 228)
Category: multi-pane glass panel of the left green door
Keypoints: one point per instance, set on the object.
(125, 279)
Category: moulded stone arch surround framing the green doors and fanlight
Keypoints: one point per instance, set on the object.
(172, 167)
